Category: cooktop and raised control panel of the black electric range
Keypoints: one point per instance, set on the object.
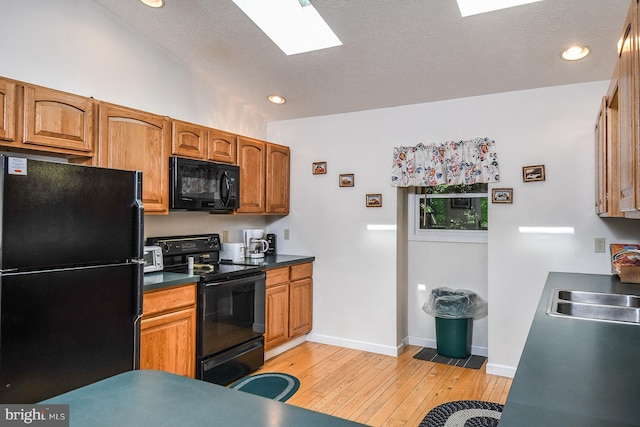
(205, 250)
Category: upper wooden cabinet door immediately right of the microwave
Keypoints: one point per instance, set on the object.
(251, 159)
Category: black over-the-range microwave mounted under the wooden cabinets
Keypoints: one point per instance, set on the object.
(198, 185)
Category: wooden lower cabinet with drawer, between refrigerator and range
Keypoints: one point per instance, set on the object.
(168, 330)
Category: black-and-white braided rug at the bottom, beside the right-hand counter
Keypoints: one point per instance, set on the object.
(464, 413)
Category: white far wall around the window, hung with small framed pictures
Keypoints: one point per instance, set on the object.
(354, 277)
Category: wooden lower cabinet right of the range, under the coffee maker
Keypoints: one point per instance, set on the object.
(289, 303)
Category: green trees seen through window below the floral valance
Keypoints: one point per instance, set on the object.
(454, 207)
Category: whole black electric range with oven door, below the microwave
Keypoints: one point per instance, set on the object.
(230, 309)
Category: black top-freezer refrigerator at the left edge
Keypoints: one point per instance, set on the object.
(70, 276)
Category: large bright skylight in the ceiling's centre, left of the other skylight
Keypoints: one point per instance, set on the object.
(293, 25)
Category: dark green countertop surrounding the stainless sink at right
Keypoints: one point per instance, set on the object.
(575, 372)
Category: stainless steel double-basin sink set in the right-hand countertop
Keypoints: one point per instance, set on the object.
(608, 307)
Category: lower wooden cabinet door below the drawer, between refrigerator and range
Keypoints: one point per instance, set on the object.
(167, 342)
